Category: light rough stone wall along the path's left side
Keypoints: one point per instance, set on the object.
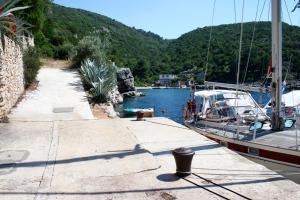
(11, 74)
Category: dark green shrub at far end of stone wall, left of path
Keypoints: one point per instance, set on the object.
(31, 60)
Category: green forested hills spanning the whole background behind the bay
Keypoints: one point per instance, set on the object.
(148, 55)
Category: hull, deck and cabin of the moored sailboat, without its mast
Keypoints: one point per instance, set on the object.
(238, 123)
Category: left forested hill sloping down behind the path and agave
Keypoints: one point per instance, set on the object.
(128, 46)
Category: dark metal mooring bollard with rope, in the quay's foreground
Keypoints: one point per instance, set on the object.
(183, 158)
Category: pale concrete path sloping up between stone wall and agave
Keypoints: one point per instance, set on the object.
(59, 96)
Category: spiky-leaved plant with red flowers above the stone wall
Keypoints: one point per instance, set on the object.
(10, 25)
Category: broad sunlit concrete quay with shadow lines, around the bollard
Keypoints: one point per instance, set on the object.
(125, 159)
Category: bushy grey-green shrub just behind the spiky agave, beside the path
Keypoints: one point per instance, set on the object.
(90, 47)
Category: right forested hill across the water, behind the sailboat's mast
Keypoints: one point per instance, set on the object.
(191, 48)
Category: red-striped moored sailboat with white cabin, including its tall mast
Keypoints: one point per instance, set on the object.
(233, 118)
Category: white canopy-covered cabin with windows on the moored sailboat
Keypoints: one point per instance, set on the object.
(226, 105)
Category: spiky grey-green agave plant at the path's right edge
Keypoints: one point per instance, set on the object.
(101, 77)
